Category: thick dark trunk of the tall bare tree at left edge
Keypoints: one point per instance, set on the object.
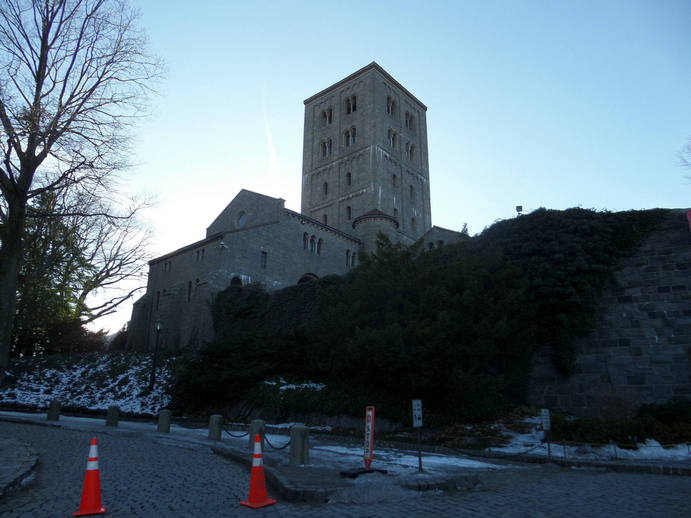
(10, 255)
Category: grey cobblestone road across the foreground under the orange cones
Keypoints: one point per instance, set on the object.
(145, 477)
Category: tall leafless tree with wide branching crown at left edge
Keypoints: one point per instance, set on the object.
(74, 74)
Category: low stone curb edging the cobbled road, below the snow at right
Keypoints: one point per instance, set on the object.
(620, 466)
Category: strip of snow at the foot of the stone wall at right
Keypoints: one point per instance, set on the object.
(531, 443)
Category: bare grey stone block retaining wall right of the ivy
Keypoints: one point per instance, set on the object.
(640, 351)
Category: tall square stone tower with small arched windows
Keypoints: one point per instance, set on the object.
(365, 164)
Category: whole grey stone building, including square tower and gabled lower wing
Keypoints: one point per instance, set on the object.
(365, 172)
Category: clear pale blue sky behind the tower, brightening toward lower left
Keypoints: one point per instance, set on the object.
(551, 104)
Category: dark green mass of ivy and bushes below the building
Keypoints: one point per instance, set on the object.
(455, 326)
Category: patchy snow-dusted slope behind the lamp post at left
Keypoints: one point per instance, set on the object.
(96, 381)
